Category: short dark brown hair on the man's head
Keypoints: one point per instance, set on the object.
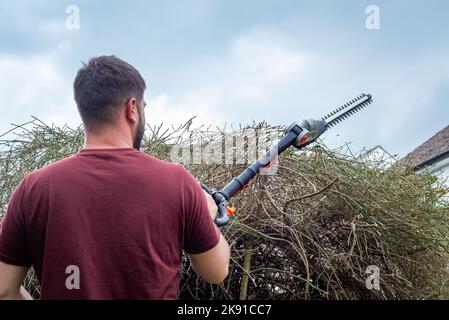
(104, 85)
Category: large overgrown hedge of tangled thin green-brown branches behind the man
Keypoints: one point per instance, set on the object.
(307, 232)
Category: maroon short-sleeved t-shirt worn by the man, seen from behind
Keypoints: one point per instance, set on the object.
(117, 220)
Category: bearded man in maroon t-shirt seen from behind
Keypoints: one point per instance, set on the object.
(109, 222)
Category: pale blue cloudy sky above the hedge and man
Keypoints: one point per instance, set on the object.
(239, 61)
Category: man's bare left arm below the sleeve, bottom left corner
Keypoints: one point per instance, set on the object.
(11, 278)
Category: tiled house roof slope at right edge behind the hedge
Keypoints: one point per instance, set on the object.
(434, 149)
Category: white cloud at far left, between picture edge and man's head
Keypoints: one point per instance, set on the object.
(35, 85)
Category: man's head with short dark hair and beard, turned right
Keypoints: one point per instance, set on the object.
(108, 93)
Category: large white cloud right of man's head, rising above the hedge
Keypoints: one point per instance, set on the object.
(245, 78)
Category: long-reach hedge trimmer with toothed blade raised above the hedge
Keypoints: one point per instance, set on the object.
(297, 135)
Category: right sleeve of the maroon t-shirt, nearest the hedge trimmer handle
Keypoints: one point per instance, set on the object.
(200, 232)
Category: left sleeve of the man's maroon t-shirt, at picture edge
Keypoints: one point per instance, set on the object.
(13, 239)
